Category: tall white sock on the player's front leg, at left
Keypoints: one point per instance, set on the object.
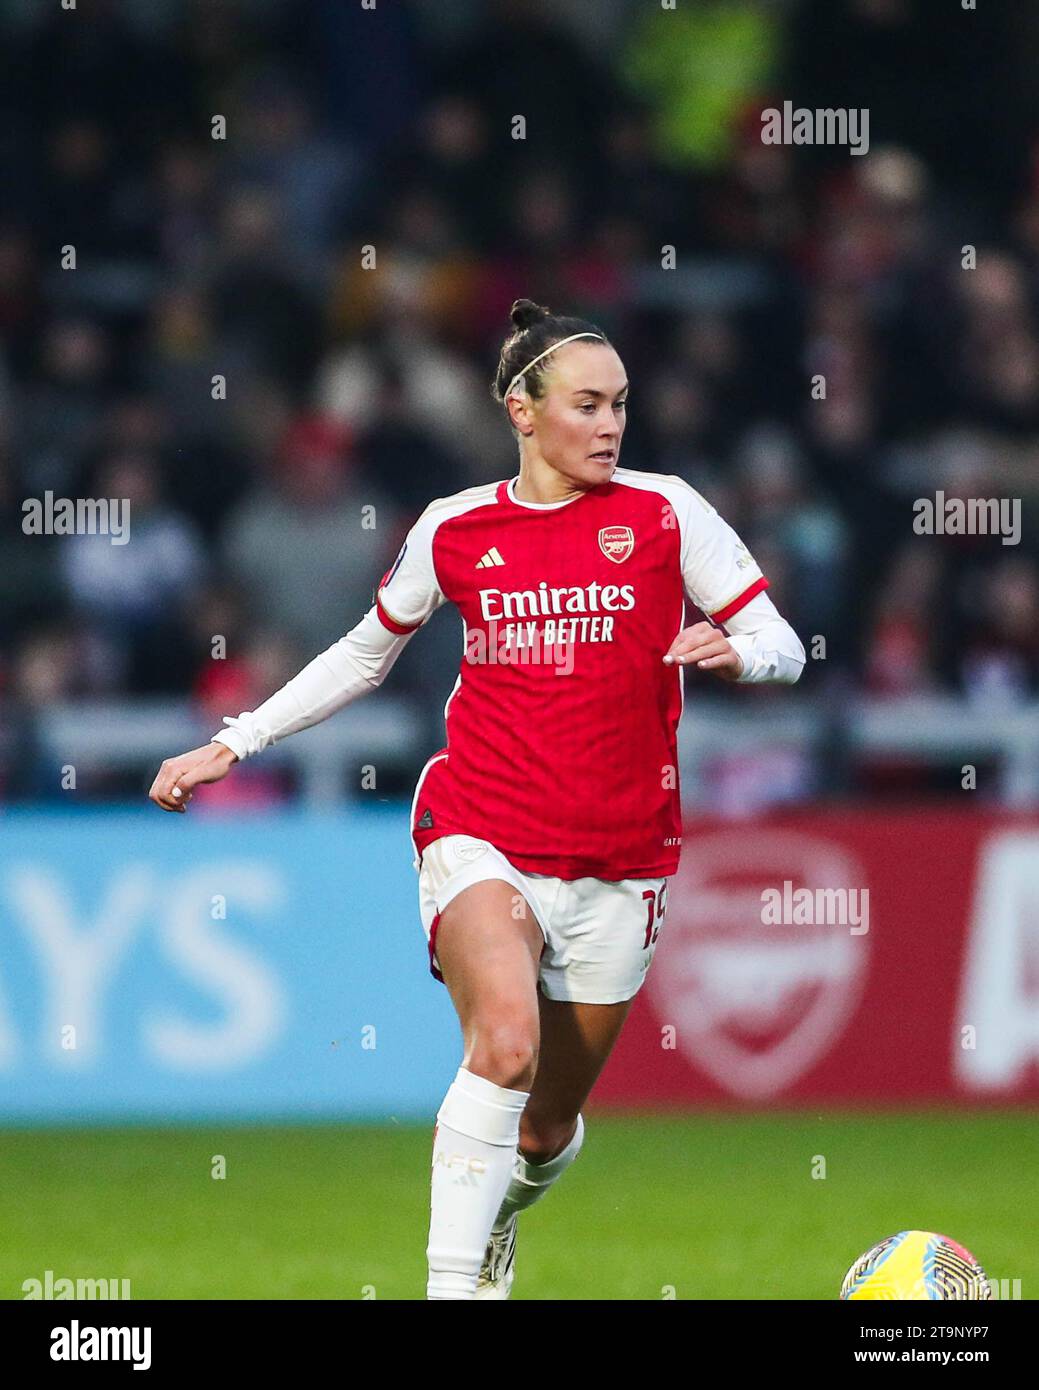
(474, 1154)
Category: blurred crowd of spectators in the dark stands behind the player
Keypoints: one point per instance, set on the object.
(297, 234)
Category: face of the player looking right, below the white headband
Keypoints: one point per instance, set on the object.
(581, 420)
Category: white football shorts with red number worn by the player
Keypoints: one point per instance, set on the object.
(600, 936)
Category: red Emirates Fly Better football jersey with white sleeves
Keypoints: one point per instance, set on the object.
(563, 728)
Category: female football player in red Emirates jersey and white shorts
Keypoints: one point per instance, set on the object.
(547, 829)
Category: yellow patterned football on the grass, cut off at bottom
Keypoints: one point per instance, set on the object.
(916, 1264)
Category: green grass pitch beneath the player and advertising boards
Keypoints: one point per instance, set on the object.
(706, 1206)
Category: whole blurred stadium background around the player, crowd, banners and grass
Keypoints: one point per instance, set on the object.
(261, 960)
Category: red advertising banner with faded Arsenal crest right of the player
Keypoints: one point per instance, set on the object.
(849, 957)
